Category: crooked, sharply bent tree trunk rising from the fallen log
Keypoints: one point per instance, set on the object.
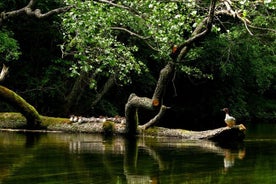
(135, 102)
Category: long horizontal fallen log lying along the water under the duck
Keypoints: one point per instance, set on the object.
(223, 134)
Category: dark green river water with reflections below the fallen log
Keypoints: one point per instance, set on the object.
(55, 158)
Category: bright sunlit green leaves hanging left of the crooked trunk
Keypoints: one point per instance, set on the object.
(104, 39)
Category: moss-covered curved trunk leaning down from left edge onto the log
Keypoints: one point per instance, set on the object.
(27, 110)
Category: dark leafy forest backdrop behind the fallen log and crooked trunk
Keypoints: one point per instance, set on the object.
(88, 60)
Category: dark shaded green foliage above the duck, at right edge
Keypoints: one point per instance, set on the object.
(244, 72)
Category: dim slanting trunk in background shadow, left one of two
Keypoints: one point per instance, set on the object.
(76, 92)
